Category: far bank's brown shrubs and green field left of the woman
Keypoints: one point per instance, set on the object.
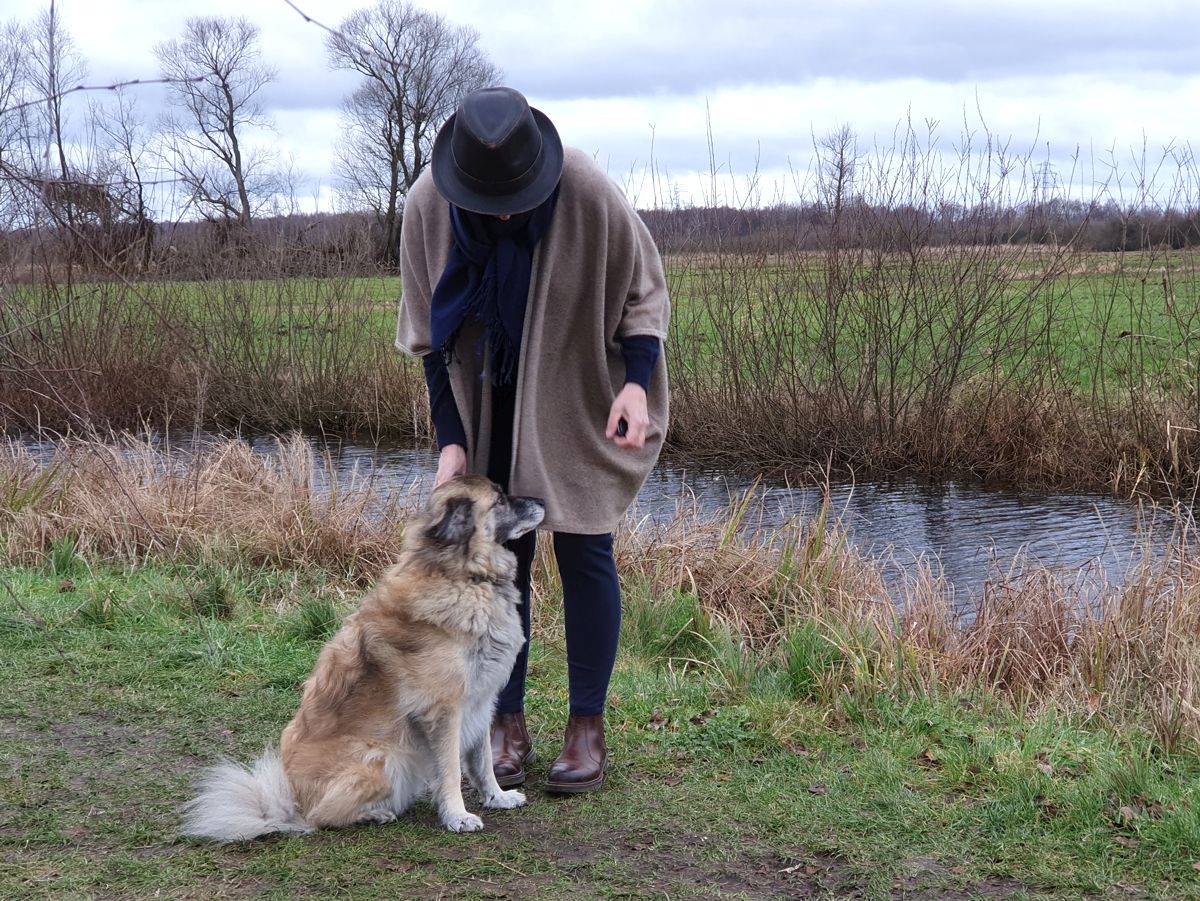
(291, 353)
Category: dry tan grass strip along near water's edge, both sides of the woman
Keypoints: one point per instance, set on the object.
(801, 599)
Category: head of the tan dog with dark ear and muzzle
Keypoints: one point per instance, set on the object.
(472, 513)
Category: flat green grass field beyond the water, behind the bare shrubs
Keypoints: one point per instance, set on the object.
(1103, 321)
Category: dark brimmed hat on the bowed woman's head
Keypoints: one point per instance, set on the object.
(497, 155)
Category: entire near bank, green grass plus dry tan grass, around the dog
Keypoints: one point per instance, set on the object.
(778, 725)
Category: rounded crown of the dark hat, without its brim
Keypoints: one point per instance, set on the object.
(496, 140)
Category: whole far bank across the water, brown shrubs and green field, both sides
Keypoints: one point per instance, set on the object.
(1033, 367)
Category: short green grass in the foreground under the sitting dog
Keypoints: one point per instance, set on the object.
(716, 790)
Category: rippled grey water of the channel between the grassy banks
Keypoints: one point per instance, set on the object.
(965, 532)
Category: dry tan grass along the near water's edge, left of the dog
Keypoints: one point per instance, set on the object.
(130, 501)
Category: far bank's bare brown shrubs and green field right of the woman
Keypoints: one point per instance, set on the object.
(1021, 365)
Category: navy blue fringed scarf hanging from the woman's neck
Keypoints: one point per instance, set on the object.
(488, 280)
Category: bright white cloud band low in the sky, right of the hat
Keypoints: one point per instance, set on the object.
(772, 130)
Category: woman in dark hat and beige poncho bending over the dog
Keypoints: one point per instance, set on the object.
(537, 299)
